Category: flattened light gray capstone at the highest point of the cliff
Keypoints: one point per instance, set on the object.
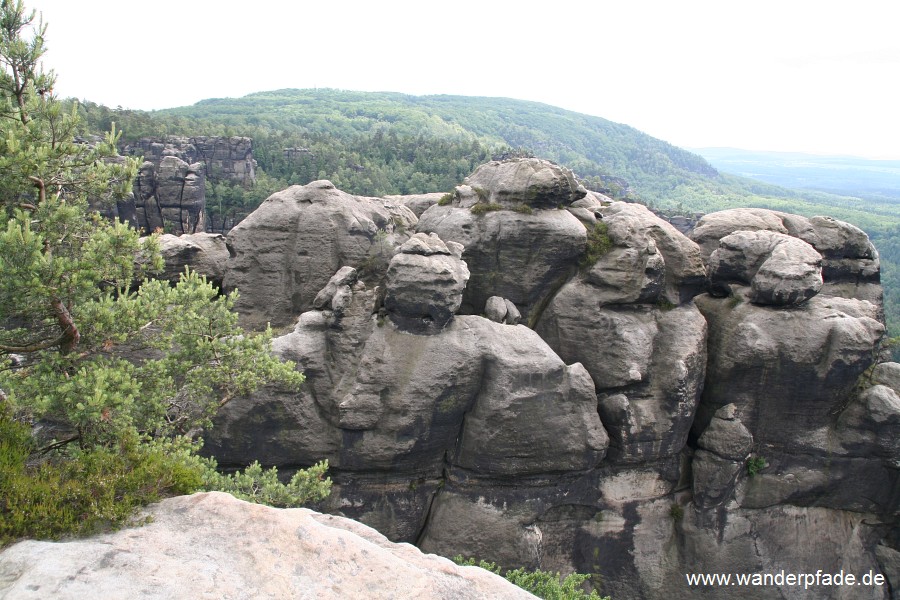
(530, 181)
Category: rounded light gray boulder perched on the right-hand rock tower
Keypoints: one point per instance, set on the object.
(781, 270)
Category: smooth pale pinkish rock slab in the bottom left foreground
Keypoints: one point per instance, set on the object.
(189, 550)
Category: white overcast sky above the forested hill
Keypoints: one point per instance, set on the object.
(788, 75)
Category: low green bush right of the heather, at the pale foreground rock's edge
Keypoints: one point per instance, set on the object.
(262, 486)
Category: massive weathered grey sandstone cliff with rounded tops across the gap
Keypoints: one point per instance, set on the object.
(674, 405)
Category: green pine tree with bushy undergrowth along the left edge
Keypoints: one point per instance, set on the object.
(121, 376)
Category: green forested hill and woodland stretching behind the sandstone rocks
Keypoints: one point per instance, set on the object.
(387, 143)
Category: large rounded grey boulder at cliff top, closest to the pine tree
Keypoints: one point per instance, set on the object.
(286, 251)
